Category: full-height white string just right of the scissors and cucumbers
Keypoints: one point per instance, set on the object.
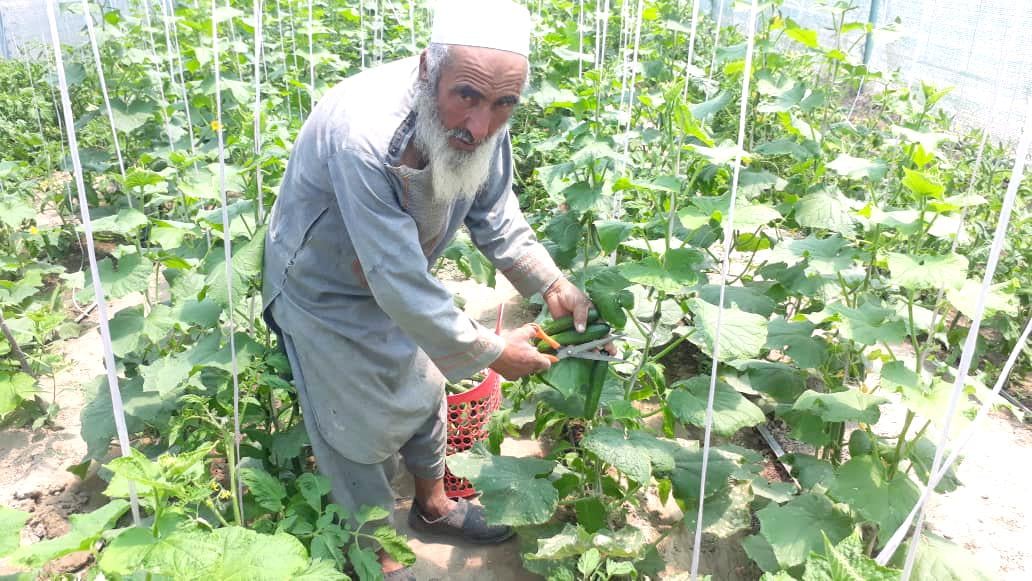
(729, 244)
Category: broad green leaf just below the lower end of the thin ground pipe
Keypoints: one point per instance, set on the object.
(798, 528)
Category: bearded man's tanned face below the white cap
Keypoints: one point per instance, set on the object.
(478, 91)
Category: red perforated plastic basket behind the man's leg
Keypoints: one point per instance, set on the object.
(468, 416)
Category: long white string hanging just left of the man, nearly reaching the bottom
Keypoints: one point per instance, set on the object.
(227, 246)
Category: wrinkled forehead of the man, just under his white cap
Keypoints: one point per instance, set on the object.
(488, 71)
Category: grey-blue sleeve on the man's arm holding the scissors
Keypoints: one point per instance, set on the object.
(386, 242)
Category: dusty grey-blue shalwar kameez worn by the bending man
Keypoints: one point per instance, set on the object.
(370, 333)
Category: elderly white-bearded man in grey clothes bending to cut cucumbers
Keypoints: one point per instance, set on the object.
(389, 167)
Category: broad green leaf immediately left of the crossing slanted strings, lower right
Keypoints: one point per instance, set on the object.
(864, 485)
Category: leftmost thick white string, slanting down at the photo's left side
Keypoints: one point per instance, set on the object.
(106, 337)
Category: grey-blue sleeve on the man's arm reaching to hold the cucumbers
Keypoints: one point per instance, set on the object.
(499, 230)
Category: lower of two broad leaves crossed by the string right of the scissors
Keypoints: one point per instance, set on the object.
(731, 411)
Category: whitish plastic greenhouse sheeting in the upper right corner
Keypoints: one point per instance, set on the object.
(980, 48)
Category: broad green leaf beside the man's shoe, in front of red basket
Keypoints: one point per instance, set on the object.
(510, 491)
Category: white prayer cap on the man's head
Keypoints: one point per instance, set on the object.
(503, 25)
